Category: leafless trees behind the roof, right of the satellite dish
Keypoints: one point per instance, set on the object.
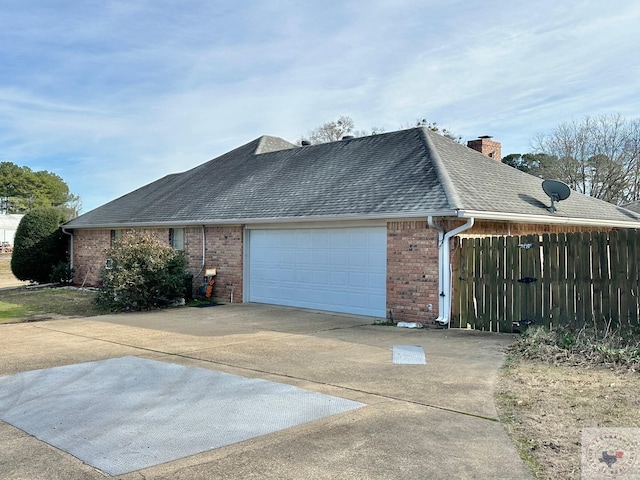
(599, 157)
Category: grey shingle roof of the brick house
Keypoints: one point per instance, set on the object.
(409, 173)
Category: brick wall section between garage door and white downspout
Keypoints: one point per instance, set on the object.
(412, 272)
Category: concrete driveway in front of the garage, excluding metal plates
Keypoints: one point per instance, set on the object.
(420, 421)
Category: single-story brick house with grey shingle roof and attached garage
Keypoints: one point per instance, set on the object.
(362, 225)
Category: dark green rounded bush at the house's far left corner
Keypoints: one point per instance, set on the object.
(39, 245)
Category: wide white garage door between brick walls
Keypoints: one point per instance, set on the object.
(334, 269)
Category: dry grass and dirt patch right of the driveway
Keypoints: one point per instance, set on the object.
(544, 408)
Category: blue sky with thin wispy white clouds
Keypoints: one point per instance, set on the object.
(113, 95)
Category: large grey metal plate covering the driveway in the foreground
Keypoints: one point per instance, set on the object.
(128, 413)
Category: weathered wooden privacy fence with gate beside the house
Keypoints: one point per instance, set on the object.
(504, 283)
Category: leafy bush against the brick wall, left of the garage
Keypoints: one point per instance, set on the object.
(140, 273)
